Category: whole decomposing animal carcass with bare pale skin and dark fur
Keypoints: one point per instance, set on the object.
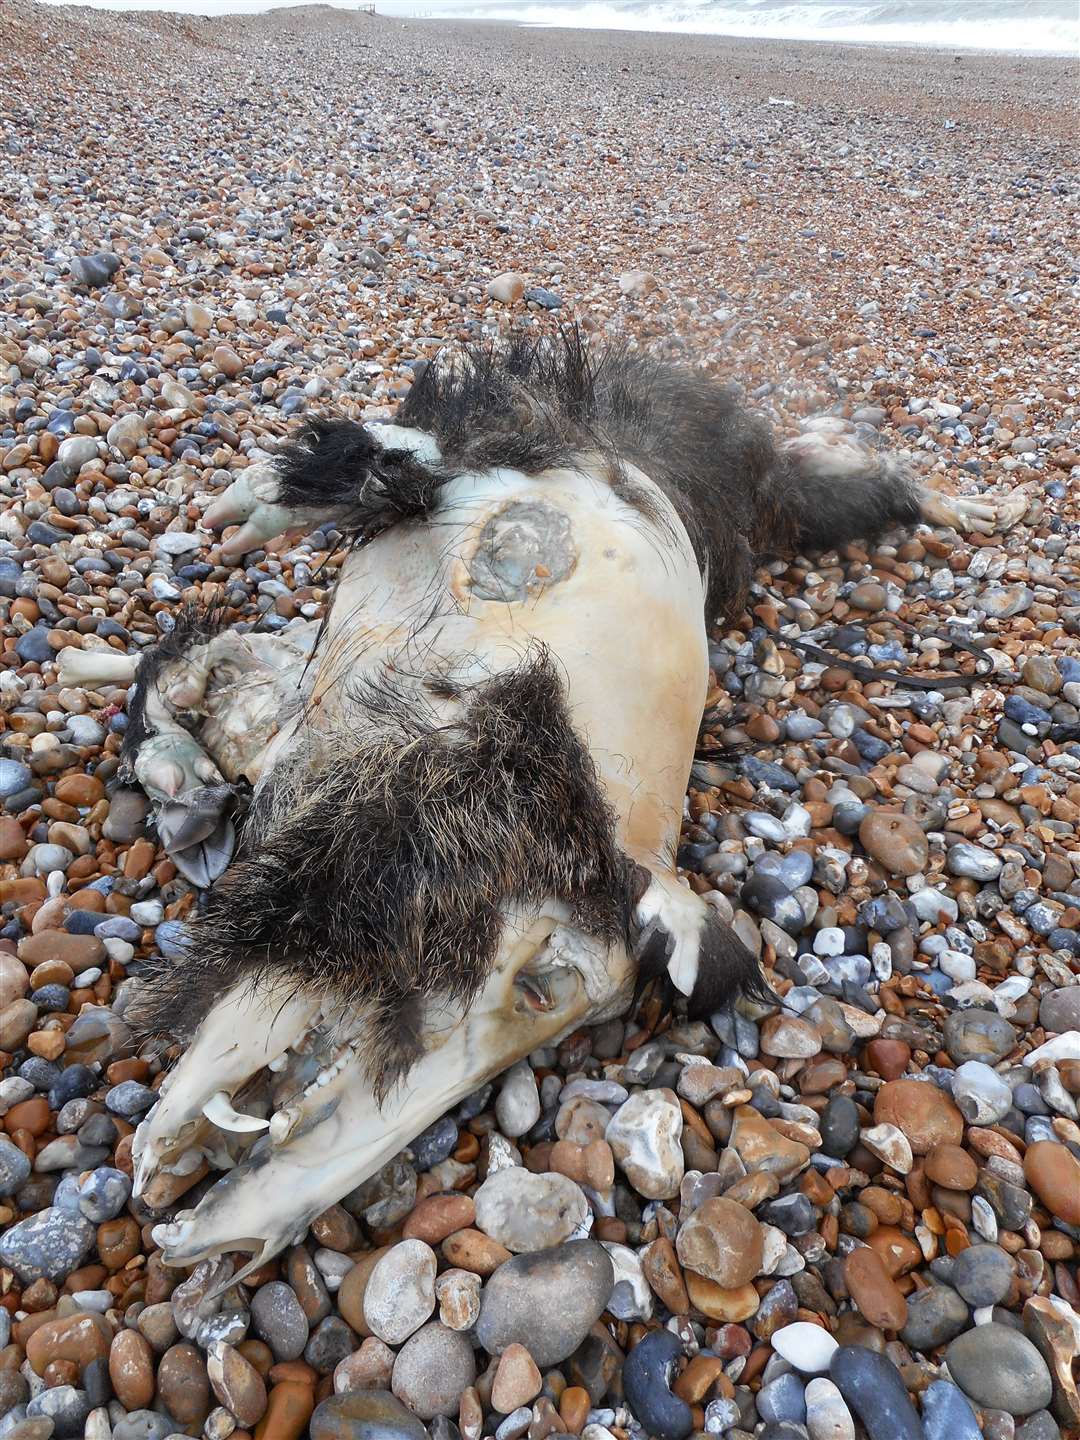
(463, 791)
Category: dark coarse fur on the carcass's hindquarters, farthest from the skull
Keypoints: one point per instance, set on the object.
(541, 402)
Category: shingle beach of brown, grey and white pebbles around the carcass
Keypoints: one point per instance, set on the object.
(853, 1218)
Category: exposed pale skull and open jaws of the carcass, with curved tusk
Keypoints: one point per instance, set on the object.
(277, 1088)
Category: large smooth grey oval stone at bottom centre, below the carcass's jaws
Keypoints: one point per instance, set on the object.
(546, 1301)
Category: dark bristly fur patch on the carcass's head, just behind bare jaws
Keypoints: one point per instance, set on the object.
(375, 866)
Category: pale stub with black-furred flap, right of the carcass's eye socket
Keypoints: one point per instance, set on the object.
(680, 934)
